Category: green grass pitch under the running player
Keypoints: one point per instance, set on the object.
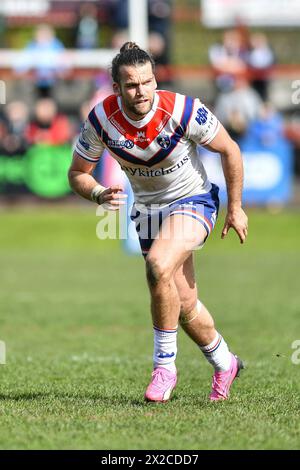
(74, 315)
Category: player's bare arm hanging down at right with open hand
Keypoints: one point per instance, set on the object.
(232, 164)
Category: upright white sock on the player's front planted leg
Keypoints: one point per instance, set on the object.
(165, 348)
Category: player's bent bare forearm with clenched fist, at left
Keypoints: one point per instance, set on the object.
(84, 184)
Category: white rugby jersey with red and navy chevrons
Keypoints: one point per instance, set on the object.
(157, 153)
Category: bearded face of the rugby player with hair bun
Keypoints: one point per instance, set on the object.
(136, 88)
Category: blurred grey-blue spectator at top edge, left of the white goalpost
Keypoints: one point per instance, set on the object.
(87, 29)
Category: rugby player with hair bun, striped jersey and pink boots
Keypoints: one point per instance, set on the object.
(154, 134)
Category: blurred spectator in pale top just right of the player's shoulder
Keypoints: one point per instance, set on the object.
(238, 107)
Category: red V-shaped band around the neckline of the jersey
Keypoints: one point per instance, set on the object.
(141, 136)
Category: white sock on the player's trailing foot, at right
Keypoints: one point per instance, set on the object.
(217, 354)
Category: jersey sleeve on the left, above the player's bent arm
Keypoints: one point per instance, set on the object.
(88, 144)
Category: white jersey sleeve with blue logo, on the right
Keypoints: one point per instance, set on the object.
(203, 125)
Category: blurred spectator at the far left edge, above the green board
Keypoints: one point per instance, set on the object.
(13, 129)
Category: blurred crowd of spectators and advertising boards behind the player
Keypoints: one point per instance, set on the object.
(246, 73)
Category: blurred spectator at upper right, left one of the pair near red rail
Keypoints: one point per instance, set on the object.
(229, 59)
